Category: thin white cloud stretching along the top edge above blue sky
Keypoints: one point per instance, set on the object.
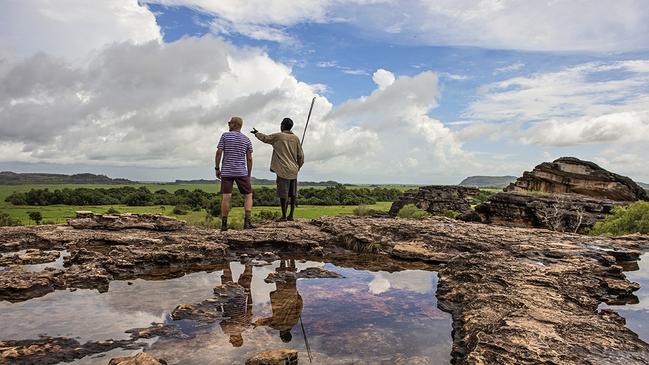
(559, 25)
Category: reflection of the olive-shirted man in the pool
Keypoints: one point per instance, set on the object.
(285, 301)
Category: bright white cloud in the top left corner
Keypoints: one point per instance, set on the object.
(71, 28)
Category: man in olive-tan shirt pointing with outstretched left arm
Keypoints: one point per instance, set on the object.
(286, 162)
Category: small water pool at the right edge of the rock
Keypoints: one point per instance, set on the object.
(637, 315)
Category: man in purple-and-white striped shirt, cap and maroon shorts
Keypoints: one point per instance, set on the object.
(236, 150)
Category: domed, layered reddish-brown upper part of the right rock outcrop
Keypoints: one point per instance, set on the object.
(572, 175)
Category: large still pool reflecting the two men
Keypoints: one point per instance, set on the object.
(364, 318)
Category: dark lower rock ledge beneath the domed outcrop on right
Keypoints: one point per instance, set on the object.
(559, 212)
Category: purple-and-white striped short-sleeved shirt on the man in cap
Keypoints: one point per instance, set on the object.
(235, 145)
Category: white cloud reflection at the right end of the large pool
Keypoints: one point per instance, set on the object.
(412, 280)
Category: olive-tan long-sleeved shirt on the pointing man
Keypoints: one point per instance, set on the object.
(288, 156)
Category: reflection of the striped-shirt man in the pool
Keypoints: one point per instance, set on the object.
(238, 309)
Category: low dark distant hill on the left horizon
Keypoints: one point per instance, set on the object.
(8, 177)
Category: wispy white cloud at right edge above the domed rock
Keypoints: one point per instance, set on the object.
(587, 103)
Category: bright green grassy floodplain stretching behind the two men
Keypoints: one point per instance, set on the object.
(56, 214)
